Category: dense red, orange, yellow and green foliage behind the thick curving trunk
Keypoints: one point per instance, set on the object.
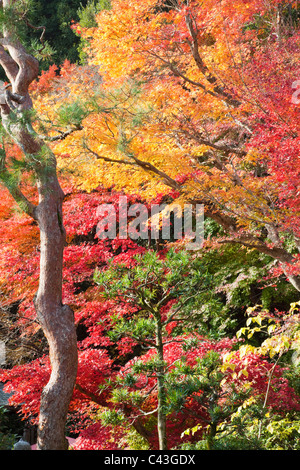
(177, 348)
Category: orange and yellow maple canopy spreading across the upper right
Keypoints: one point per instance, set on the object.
(219, 144)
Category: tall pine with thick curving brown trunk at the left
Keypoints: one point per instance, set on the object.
(56, 319)
